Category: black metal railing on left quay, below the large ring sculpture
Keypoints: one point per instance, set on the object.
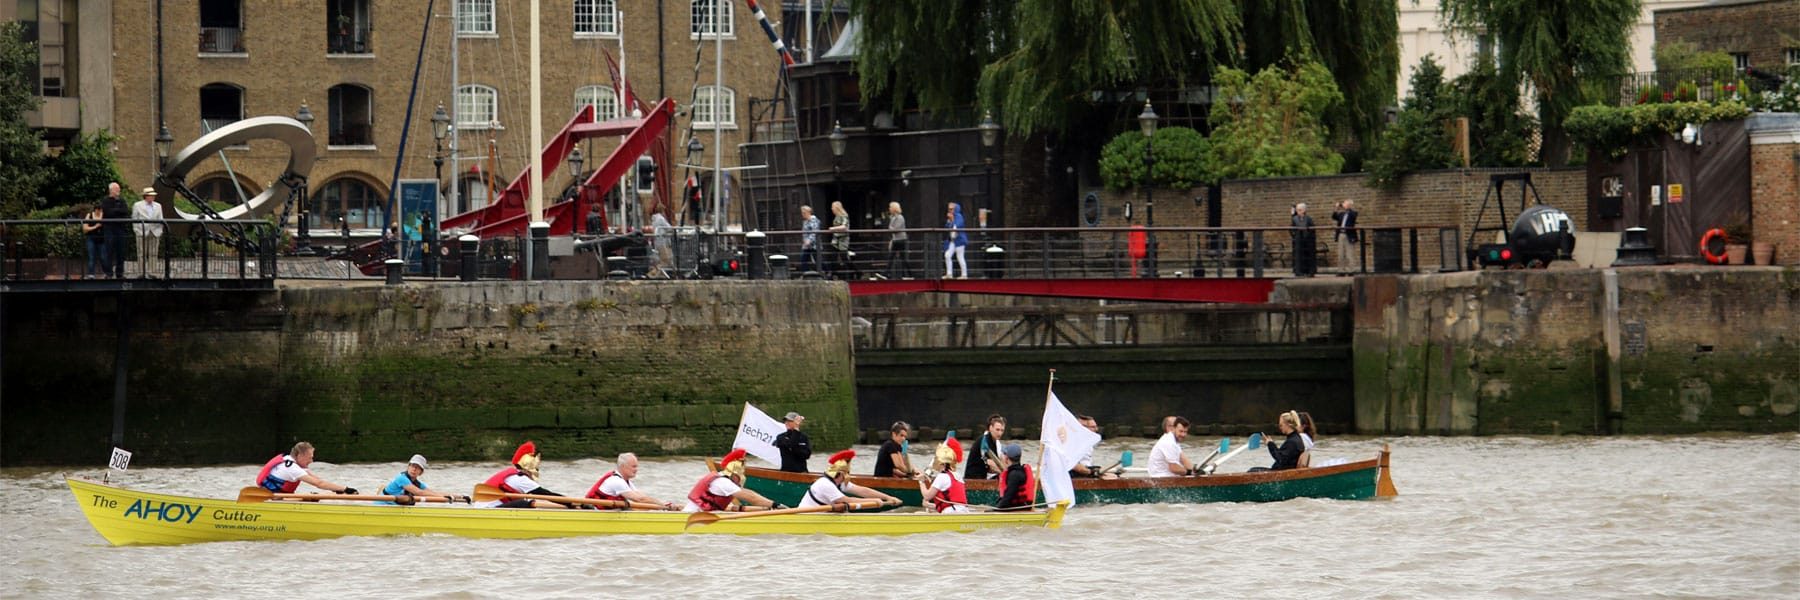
(62, 255)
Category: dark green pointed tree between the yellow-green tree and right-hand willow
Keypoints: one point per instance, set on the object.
(1417, 140)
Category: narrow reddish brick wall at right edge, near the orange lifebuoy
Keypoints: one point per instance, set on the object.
(1776, 199)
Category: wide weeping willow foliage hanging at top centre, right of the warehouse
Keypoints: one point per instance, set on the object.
(1041, 60)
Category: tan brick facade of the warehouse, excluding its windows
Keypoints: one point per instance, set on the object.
(285, 64)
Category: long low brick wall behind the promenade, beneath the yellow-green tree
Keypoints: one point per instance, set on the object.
(1423, 199)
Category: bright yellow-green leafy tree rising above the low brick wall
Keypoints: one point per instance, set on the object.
(1272, 125)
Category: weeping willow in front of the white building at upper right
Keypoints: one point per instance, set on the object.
(1561, 48)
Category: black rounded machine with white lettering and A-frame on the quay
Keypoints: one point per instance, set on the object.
(1540, 233)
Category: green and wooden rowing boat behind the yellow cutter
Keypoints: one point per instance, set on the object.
(1360, 480)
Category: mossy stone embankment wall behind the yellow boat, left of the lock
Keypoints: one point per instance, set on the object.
(456, 372)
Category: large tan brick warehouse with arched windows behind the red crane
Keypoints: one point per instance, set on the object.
(193, 64)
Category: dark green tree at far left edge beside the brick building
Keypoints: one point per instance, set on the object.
(21, 149)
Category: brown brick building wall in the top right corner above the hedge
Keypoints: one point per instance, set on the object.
(1763, 30)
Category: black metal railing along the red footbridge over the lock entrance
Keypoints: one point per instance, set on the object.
(1092, 253)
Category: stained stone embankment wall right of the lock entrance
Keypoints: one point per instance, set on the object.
(1534, 352)
